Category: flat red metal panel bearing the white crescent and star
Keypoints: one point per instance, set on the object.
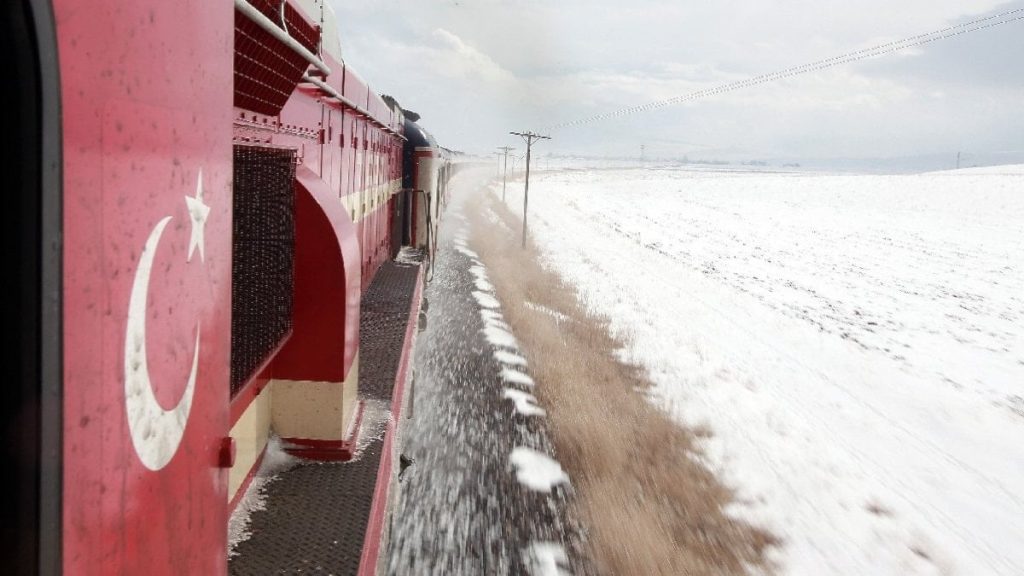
(147, 124)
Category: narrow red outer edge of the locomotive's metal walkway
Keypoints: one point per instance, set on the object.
(378, 511)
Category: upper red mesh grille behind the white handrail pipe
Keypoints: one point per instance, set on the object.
(266, 70)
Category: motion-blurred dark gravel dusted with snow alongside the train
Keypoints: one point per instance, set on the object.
(465, 509)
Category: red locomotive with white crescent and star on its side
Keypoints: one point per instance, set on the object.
(206, 190)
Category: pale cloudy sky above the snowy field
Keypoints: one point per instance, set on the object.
(475, 70)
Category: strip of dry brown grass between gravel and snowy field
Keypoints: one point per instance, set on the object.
(652, 508)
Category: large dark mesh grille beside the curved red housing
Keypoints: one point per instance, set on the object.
(264, 261)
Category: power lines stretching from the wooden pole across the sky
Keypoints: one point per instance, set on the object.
(864, 54)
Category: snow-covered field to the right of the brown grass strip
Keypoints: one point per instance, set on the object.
(856, 345)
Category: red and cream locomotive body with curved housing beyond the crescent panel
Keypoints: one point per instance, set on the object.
(334, 139)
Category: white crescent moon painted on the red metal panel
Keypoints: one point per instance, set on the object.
(155, 433)
